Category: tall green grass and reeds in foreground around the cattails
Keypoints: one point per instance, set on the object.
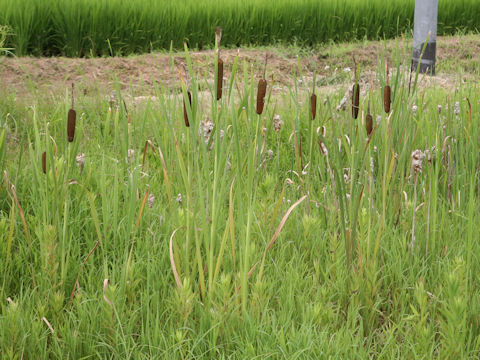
(338, 279)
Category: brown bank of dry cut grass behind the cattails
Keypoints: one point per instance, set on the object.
(457, 60)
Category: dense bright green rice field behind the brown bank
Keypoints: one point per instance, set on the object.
(119, 27)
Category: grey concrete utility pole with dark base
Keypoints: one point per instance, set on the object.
(425, 26)
